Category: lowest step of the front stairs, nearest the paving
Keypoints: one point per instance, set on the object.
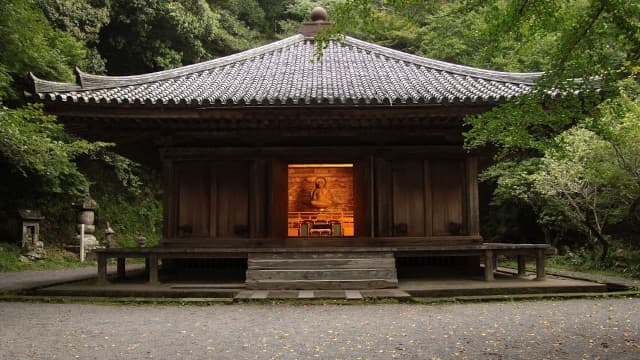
(321, 284)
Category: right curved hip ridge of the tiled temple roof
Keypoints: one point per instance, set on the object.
(523, 78)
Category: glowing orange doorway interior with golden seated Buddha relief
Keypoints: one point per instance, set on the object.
(320, 200)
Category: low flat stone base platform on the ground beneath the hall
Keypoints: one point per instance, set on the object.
(504, 284)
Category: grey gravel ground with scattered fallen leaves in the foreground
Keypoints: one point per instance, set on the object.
(576, 329)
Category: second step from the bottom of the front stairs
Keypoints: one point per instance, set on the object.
(321, 274)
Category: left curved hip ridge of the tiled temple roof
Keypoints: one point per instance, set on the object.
(90, 81)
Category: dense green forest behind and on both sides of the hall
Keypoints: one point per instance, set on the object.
(567, 155)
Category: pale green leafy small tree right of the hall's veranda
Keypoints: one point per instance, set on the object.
(589, 180)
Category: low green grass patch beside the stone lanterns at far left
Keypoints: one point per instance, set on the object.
(56, 259)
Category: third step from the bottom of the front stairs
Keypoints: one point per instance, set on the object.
(321, 263)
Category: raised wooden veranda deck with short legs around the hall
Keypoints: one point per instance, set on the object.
(487, 251)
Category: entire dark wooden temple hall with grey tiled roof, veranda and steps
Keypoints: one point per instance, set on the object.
(315, 173)
